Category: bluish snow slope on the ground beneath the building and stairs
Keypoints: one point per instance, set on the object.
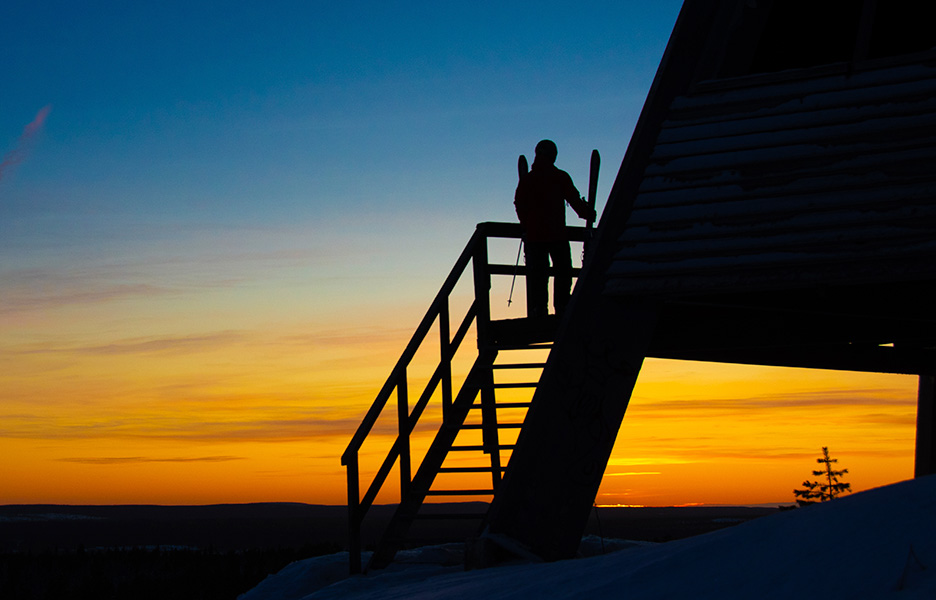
(875, 544)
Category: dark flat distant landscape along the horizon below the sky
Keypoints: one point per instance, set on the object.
(220, 551)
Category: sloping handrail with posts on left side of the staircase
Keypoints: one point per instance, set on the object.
(475, 251)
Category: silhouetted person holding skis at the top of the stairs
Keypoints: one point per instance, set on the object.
(540, 202)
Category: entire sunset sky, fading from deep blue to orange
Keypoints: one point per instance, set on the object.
(220, 223)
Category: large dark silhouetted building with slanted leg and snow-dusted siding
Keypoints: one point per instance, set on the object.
(776, 206)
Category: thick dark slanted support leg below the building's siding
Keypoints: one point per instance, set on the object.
(560, 457)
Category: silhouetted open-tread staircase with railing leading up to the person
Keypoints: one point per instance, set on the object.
(509, 358)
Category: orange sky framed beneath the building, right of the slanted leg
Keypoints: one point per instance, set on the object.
(750, 435)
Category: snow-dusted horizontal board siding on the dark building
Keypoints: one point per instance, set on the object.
(777, 182)
